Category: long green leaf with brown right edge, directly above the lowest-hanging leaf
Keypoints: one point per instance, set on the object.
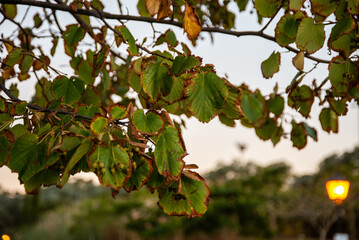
(169, 153)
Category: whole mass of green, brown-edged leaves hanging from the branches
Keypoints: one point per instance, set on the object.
(73, 123)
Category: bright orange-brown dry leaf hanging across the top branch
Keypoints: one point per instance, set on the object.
(191, 23)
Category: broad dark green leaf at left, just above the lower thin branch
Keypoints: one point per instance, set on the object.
(68, 89)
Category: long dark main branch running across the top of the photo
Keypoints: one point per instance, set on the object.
(106, 15)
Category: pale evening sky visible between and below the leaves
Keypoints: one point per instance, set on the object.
(240, 59)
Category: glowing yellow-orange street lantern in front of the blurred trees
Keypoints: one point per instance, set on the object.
(337, 190)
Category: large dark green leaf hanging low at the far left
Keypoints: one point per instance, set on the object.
(24, 157)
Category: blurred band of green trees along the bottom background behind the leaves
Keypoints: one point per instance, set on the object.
(248, 201)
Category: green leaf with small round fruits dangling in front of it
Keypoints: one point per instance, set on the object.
(111, 164)
